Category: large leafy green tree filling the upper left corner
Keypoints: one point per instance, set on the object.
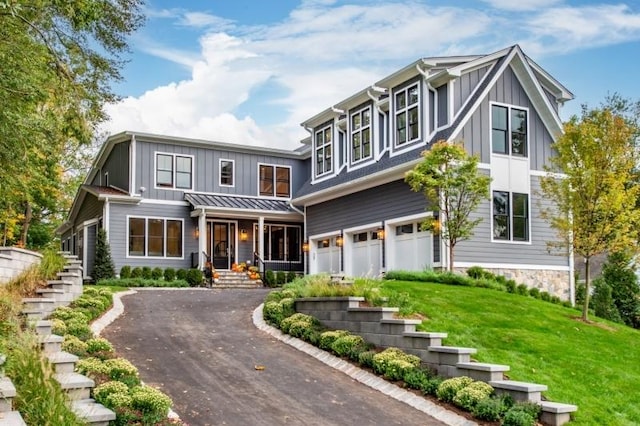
(58, 58)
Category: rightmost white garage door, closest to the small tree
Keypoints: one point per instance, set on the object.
(412, 247)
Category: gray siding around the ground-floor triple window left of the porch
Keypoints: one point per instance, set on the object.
(119, 238)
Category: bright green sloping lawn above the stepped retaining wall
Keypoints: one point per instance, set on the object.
(595, 366)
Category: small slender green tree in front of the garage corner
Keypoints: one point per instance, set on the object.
(449, 178)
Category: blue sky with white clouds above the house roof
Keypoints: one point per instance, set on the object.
(249, 72)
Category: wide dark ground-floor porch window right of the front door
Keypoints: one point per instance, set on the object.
(281, 242)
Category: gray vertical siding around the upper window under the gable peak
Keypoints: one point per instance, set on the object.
(476, 133)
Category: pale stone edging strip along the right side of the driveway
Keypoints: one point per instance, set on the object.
(362, 376)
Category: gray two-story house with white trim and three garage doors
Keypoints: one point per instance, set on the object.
(342, 195)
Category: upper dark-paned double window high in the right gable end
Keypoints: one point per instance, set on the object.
(508, 131)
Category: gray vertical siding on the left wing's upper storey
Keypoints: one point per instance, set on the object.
(206, 164)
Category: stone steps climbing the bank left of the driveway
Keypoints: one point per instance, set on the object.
(61, 292)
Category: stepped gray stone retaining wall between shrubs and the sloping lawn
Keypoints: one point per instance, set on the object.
(378, 325)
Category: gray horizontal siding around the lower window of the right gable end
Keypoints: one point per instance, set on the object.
(480, 249)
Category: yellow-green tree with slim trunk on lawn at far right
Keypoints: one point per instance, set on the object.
(596, 194)
